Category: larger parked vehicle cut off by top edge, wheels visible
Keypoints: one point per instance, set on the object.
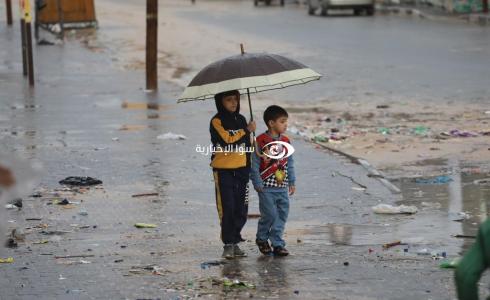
(357, 5)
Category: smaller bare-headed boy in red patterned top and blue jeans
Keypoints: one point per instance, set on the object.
(273, 178)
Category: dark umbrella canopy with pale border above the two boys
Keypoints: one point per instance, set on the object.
(247, 73)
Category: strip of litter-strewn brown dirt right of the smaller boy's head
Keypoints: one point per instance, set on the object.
(398, 133)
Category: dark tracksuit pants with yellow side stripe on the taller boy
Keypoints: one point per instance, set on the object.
(232, 203)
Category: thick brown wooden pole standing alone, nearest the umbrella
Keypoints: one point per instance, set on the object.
(151, 44)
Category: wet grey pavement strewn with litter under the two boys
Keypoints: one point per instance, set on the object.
(75, 123)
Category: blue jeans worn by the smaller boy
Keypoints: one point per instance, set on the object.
(274, 210)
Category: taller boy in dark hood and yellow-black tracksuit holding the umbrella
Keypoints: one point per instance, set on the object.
(230, 134)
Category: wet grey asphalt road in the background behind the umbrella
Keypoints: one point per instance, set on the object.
(366, 58)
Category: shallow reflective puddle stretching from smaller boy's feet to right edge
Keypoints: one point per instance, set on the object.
(439, 225)
